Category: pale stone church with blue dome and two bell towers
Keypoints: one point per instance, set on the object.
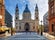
(26, 24)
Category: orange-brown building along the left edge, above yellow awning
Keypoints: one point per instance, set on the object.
(2, 13)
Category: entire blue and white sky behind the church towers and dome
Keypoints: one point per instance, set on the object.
(10, 5)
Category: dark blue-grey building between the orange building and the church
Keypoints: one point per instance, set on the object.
(8, 19)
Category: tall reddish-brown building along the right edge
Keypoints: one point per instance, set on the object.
(52, 16)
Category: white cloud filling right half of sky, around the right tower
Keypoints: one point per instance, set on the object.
(42, 7)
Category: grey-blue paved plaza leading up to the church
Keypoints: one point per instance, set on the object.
(27, 36)
